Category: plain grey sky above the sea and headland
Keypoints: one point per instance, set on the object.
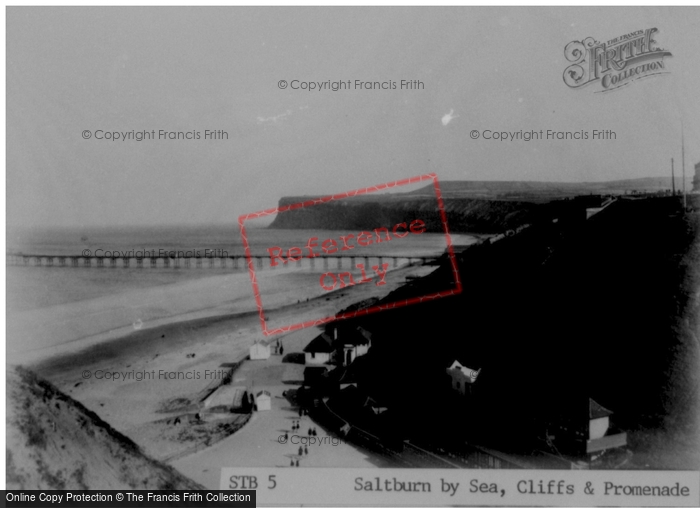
(194, 69)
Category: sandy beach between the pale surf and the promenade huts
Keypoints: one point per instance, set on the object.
(177, 361)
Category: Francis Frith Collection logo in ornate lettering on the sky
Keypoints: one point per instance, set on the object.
(615, 63)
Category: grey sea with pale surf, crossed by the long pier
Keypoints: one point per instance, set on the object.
(50, 305)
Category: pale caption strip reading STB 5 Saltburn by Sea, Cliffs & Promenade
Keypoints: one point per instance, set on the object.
(464, 487)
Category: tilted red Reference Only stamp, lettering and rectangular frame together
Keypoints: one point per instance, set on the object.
(332, 246)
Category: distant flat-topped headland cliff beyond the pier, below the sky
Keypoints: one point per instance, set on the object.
(471, 207)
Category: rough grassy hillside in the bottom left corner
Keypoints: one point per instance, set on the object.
(54, 442)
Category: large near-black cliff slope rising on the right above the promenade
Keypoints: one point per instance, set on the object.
(605, 308)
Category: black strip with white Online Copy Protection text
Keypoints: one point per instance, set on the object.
(128, 498)
